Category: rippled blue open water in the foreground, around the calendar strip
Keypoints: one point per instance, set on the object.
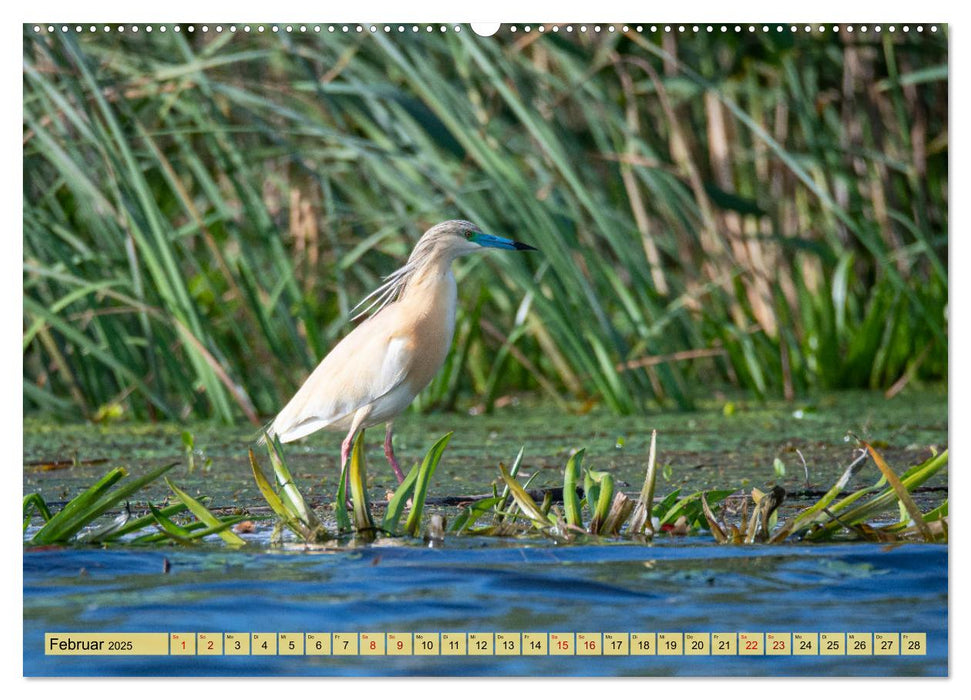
(489, 585)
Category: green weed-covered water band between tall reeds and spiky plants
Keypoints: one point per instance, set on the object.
(706, 449)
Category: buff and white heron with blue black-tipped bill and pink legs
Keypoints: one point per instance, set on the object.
(376, 371)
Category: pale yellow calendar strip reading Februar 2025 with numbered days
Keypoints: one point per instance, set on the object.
(485, 644)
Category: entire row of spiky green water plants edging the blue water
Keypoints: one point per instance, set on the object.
(589, 505)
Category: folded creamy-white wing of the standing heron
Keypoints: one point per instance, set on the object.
(367, 364)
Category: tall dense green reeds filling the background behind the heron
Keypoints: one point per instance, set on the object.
(760, 211)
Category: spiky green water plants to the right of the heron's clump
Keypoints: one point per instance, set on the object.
(610, 510)
